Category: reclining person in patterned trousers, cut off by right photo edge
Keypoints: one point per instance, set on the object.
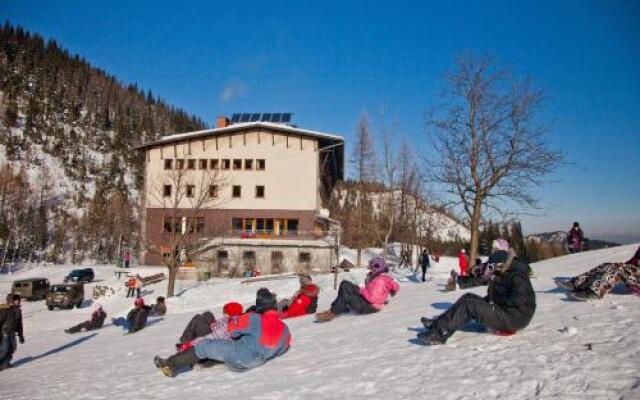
(599, 281)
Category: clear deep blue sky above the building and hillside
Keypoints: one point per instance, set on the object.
(326, 61)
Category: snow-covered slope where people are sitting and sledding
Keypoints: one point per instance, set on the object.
(370, 357)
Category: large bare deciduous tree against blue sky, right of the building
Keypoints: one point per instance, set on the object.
(489, 141)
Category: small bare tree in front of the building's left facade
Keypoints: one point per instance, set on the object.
(192, 191)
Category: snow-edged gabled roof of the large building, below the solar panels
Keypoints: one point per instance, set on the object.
(243, 126)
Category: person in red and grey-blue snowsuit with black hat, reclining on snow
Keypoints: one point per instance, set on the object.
(258, 337)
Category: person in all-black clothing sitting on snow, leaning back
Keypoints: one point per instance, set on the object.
(508, 306)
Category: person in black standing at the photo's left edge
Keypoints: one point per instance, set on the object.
(10, 325)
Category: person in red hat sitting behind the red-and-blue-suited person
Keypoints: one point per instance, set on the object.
(216, 329)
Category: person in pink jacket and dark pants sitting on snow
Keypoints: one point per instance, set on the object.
(369, 299)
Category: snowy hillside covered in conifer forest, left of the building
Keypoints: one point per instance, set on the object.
(69, 172)
